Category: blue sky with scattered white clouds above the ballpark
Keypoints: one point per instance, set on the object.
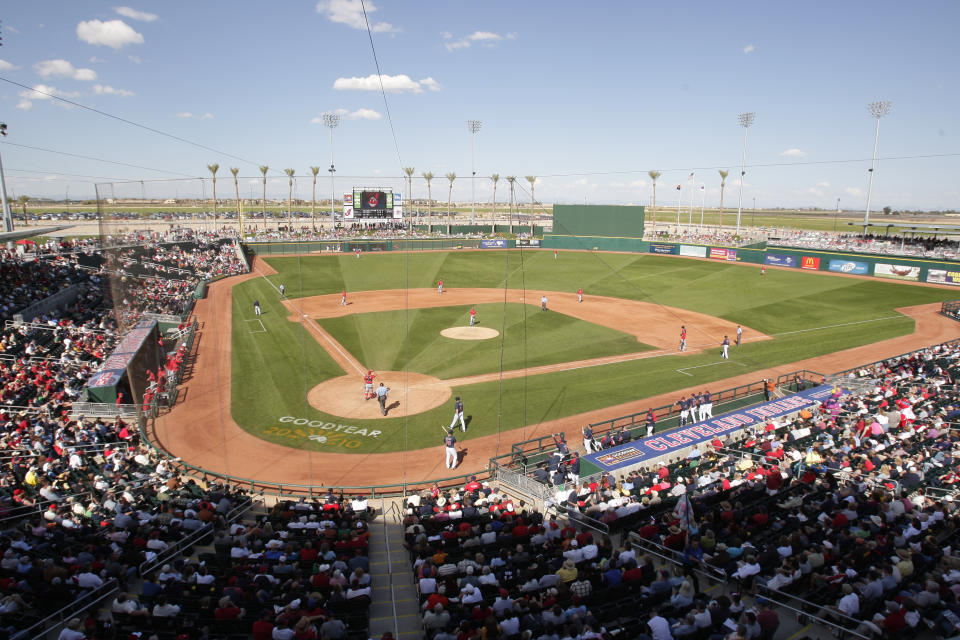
(586, 96)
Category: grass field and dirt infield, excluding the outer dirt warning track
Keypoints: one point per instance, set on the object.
(296, 370)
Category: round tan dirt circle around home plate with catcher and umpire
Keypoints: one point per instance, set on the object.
(410, 393)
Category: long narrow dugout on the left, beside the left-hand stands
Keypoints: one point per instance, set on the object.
(125, 369)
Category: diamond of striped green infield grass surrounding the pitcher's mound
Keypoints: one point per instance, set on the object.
(392, 340)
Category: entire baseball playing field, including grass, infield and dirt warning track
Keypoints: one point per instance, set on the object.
(613, 354)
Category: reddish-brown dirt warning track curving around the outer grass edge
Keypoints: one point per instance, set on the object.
(201, 430)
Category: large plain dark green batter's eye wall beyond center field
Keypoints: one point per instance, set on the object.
(596, 227)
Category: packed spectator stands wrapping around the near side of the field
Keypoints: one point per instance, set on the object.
(105, 537)
